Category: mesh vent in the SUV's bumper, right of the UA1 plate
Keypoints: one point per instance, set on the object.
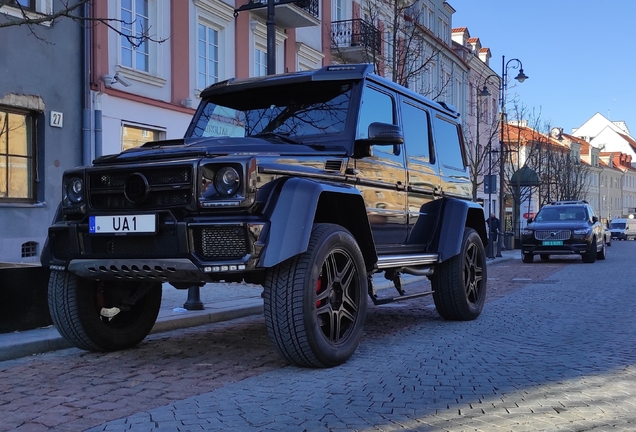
(220, 242)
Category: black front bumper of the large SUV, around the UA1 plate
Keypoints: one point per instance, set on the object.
(190, 251)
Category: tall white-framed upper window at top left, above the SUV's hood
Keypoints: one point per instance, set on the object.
(135, 24)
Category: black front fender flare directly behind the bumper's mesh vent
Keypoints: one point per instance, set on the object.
(291, 210)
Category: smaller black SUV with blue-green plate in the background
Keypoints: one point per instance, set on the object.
(564, 228)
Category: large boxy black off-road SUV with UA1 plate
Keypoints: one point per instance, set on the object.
(306, 183)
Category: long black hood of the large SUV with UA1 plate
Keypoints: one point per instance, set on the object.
(223, 146)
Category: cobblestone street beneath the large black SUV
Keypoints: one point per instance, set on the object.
(554, 349)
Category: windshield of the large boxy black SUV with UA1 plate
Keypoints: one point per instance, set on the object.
(297, 110)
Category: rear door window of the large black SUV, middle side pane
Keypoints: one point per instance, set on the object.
(415, 123)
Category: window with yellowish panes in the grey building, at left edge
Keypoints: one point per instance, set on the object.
(17, 156)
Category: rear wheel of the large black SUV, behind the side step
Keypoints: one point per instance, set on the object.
(459, 283)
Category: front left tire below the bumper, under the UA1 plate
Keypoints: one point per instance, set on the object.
(75, 305)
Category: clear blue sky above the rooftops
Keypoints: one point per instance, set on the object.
(579, 54)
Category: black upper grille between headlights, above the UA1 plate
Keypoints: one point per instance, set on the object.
(167, 187)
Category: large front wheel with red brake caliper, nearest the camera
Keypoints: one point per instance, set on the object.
(315, 303)
